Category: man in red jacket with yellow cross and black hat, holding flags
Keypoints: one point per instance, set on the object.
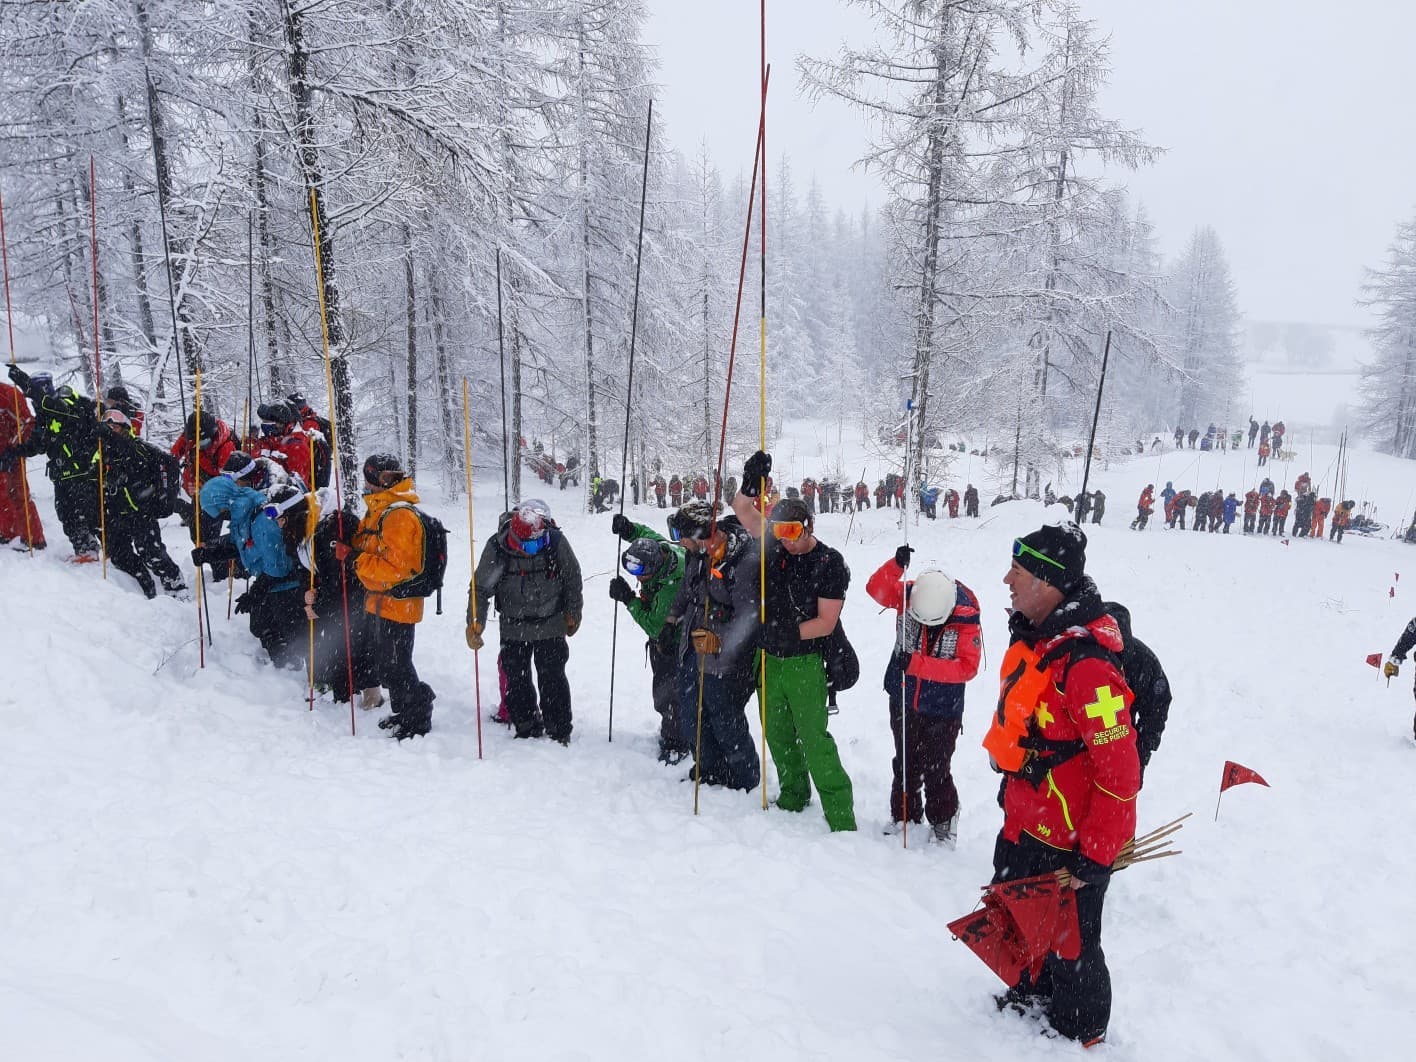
(1067, 746)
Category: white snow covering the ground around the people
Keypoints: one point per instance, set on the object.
(199, 867)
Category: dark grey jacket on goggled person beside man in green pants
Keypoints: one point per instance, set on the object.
(733, 603)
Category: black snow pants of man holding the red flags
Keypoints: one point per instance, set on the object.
(1077, 995)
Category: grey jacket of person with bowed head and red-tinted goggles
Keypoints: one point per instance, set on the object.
(533, 594)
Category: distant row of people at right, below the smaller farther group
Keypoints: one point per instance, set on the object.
(1265, 512)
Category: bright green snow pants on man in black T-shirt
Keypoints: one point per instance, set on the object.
(802, 748)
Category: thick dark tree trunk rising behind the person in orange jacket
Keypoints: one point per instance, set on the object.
(309, 155)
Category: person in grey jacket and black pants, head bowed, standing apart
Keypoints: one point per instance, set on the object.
(532, 573)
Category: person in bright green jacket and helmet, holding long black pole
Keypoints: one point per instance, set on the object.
(659, 569)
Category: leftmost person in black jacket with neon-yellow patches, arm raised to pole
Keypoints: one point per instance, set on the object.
(66, 431)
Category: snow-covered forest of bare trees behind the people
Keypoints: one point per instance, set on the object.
(474, 171)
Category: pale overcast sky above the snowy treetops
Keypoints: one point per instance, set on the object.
(1288, 124)
